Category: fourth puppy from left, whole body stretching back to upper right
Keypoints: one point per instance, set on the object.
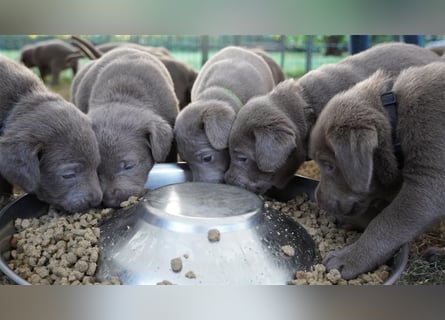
(268, 140)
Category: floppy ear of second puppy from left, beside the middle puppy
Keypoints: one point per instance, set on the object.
(160, 138)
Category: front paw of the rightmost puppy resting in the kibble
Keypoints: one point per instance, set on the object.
(349, 261)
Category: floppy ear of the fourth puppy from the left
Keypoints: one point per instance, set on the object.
(273, 145)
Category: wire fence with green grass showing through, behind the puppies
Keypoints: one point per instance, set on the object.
(296, 54)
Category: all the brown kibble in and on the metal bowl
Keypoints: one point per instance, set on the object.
(63, 249)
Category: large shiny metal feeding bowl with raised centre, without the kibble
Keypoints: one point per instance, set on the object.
(173, 220)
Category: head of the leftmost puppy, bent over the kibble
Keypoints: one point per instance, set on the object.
(53, 153)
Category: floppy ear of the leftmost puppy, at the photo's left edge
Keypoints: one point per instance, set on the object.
(19, 164)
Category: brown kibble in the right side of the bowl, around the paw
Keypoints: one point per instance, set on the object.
(323, 230)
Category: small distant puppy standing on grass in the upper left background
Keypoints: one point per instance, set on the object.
(50, 57)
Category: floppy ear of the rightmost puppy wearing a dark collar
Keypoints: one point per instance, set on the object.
(354, 153)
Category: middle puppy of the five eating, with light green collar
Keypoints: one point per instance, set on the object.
(226, 82)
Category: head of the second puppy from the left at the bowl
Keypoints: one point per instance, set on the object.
(130, 142)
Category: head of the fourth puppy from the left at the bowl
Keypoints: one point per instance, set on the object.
(265, 147)
